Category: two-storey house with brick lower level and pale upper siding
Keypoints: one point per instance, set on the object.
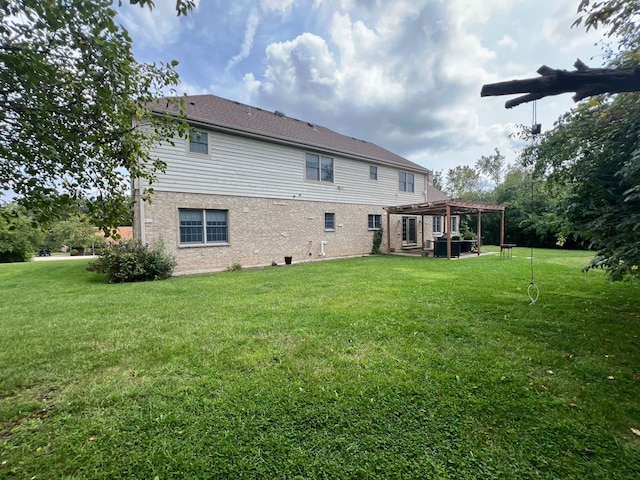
(251, 186)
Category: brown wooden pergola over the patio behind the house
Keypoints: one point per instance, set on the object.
(447, 208)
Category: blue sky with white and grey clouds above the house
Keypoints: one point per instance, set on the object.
(405, 75)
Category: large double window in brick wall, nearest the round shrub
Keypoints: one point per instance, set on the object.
(199, 227)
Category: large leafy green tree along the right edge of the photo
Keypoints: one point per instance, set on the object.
(595, 150)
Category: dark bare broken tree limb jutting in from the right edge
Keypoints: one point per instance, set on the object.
(584, 81)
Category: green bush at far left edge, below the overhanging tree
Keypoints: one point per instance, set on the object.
(19, 238)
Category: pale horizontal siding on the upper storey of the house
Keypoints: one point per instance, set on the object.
(245, 167)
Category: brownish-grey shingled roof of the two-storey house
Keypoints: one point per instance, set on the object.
(221, 114)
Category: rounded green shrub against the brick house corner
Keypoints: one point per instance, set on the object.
(133, 262)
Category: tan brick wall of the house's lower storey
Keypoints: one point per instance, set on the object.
(262, 231)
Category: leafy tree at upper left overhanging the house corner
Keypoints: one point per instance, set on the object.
(74, 117)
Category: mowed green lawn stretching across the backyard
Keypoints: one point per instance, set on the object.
(375, 367)
